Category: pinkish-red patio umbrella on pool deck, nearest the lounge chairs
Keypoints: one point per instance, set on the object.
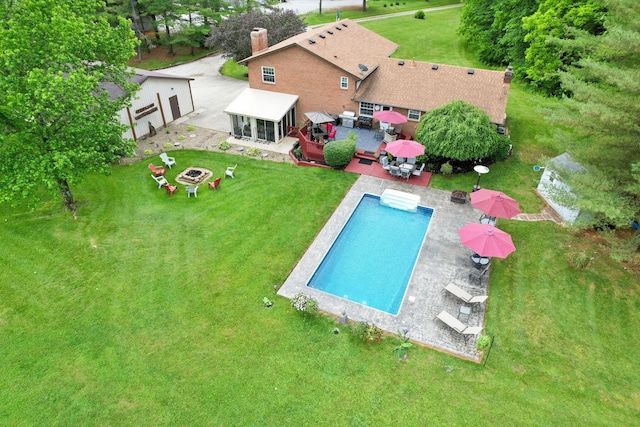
(486, 240)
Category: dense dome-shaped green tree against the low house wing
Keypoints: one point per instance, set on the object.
(462, 132)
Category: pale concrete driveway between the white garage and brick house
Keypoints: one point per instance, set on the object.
(212, 92)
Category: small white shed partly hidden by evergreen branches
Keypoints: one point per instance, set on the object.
(551, 187)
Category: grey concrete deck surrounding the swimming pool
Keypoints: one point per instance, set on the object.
(442, 260)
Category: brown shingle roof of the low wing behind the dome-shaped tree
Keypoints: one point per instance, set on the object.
(417, 86)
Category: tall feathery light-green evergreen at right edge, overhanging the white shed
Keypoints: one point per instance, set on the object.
(601, 115)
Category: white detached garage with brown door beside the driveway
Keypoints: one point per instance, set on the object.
(162, 99)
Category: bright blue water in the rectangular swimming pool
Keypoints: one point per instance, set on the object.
(372, 259)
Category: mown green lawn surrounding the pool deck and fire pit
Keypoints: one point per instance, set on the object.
(147, 310)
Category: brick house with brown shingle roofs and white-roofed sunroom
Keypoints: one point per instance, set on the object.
(343, 66)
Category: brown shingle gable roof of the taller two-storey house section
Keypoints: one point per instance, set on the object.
(344, 44)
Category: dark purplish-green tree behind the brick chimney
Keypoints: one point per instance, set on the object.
(232, 35)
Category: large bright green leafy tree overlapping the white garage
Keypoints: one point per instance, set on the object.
(57, 121)
